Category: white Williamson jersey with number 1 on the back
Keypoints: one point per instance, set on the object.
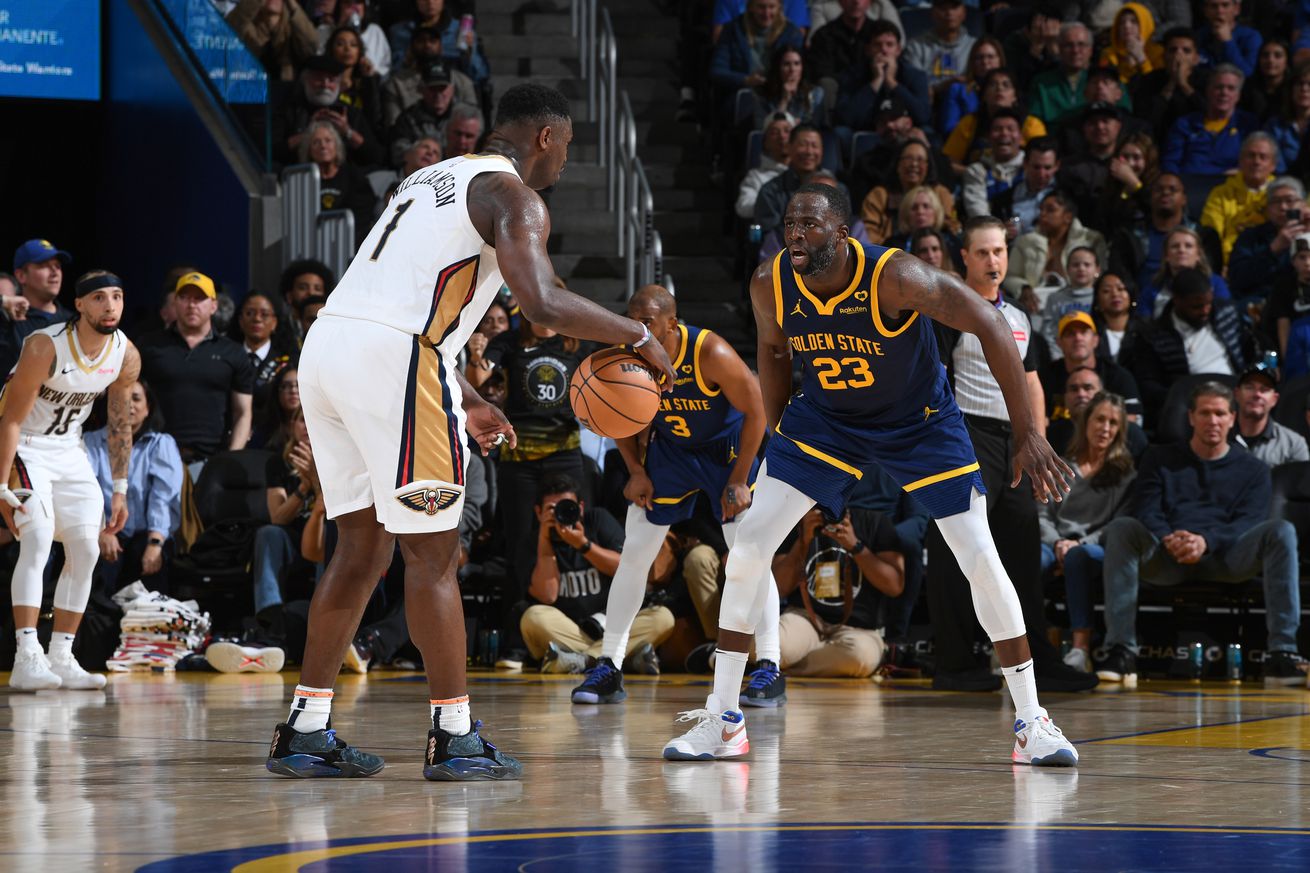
(425, 269)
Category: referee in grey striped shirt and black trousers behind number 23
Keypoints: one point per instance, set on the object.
(1012, 512)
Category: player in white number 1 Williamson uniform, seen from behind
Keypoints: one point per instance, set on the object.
(388, 410)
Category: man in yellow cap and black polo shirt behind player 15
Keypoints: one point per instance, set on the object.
(204, 381)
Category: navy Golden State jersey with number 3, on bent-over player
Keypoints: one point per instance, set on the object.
(694, 414)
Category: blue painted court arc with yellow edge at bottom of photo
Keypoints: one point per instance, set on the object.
(977, 846)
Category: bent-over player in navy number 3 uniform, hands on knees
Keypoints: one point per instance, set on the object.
(704, 438)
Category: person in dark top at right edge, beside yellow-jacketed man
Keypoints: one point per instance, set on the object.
(1263, 254)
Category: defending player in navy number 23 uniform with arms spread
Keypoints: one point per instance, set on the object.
(874, 393)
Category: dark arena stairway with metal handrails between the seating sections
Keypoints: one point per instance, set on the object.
(533, 41)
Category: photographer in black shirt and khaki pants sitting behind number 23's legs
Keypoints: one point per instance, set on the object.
(843, 568)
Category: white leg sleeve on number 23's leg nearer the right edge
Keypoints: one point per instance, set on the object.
(995, 600)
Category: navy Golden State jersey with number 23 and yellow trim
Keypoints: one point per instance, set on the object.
(857, 364)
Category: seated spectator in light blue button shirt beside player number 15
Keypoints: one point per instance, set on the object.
(145, 547)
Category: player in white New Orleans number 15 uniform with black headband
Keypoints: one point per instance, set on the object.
(50, 492)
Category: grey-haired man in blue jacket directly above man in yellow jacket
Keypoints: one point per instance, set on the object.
(1210, 142)
